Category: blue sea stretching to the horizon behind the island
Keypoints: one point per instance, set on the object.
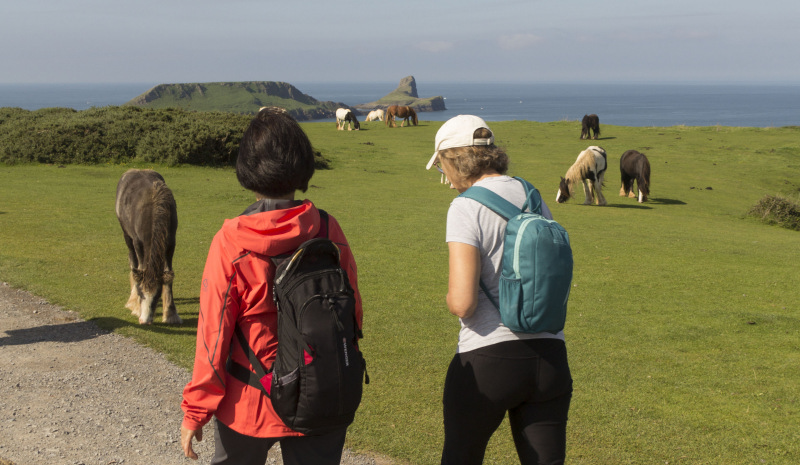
(755, 105)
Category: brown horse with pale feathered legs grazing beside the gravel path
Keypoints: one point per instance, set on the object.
(149, 218)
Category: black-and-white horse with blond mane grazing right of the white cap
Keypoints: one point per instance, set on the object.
(589, 169)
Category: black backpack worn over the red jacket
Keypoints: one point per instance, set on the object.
(315, 383)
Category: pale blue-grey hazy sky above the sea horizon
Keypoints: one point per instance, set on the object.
(169, 41)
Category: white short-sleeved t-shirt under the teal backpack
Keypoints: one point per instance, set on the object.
(469, 222)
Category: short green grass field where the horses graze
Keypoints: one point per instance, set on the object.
(683, 321)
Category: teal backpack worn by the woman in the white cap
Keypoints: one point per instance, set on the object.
(536, 269)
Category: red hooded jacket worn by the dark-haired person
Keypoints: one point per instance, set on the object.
(236, 289)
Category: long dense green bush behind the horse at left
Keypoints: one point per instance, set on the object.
(119, 134)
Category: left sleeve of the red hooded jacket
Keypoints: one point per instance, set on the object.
(219, 308)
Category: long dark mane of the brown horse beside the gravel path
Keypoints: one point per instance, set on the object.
(163, 203)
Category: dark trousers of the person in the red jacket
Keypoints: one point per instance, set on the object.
(232, 448)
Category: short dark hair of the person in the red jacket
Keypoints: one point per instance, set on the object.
(275, 155)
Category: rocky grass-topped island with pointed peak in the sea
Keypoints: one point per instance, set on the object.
(249, 97)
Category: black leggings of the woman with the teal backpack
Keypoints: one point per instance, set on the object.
(529, 379)
